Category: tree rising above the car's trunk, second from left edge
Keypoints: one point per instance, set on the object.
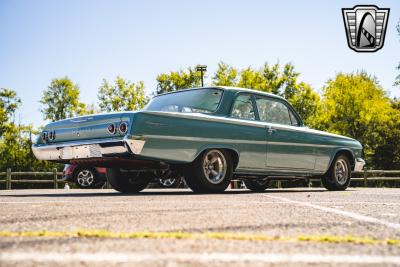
(61, 100)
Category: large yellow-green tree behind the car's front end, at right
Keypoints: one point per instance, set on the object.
(356, 105)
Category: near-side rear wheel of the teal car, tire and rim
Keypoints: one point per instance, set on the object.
(211, 172)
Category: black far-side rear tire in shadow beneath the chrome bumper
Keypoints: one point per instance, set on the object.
(128, 182)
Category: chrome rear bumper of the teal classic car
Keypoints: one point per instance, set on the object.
(87, 149)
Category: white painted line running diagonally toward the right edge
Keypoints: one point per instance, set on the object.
(344, 213)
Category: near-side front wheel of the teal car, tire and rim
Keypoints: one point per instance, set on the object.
(338, 176)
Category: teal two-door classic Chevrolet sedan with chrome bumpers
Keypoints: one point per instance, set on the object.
(210, 135)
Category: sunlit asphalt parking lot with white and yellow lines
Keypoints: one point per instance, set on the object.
(158, 227)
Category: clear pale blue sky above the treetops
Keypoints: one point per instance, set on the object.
(92, 40)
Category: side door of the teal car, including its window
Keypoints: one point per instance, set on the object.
(287, 146)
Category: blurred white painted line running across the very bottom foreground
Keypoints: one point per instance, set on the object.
(43, 257)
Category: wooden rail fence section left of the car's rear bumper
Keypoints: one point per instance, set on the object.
(9, 178)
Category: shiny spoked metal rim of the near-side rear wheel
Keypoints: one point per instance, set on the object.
(214, 166)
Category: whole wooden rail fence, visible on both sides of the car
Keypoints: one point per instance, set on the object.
(367, 175)
